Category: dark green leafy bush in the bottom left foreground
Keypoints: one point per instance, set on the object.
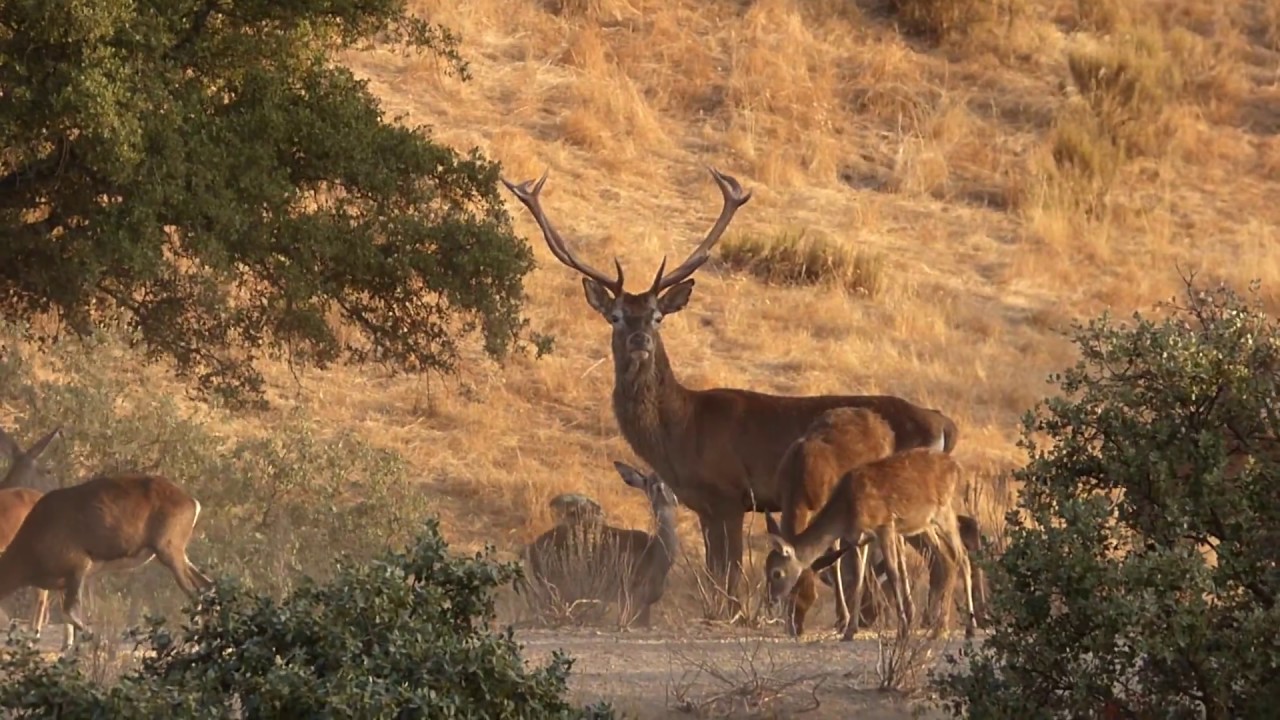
(406, 636)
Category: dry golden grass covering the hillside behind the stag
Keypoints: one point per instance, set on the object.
(938, 161)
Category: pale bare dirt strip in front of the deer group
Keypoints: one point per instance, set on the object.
(712, 672)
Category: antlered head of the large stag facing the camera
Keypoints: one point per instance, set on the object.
(636, 317)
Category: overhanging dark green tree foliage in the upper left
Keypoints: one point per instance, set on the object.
(205, 172)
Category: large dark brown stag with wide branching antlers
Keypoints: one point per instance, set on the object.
(719, 449)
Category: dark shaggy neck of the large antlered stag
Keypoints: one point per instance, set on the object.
(652, 408)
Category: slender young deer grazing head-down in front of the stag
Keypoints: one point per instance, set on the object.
(906, 494)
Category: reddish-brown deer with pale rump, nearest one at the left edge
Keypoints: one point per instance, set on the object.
(111, 522)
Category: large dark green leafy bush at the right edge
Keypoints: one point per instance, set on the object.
(1165, 440)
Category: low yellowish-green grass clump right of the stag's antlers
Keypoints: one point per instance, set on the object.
(806, 258)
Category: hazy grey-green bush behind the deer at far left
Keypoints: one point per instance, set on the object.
(273, 505)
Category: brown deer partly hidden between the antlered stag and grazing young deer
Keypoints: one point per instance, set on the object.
(838, 441)
